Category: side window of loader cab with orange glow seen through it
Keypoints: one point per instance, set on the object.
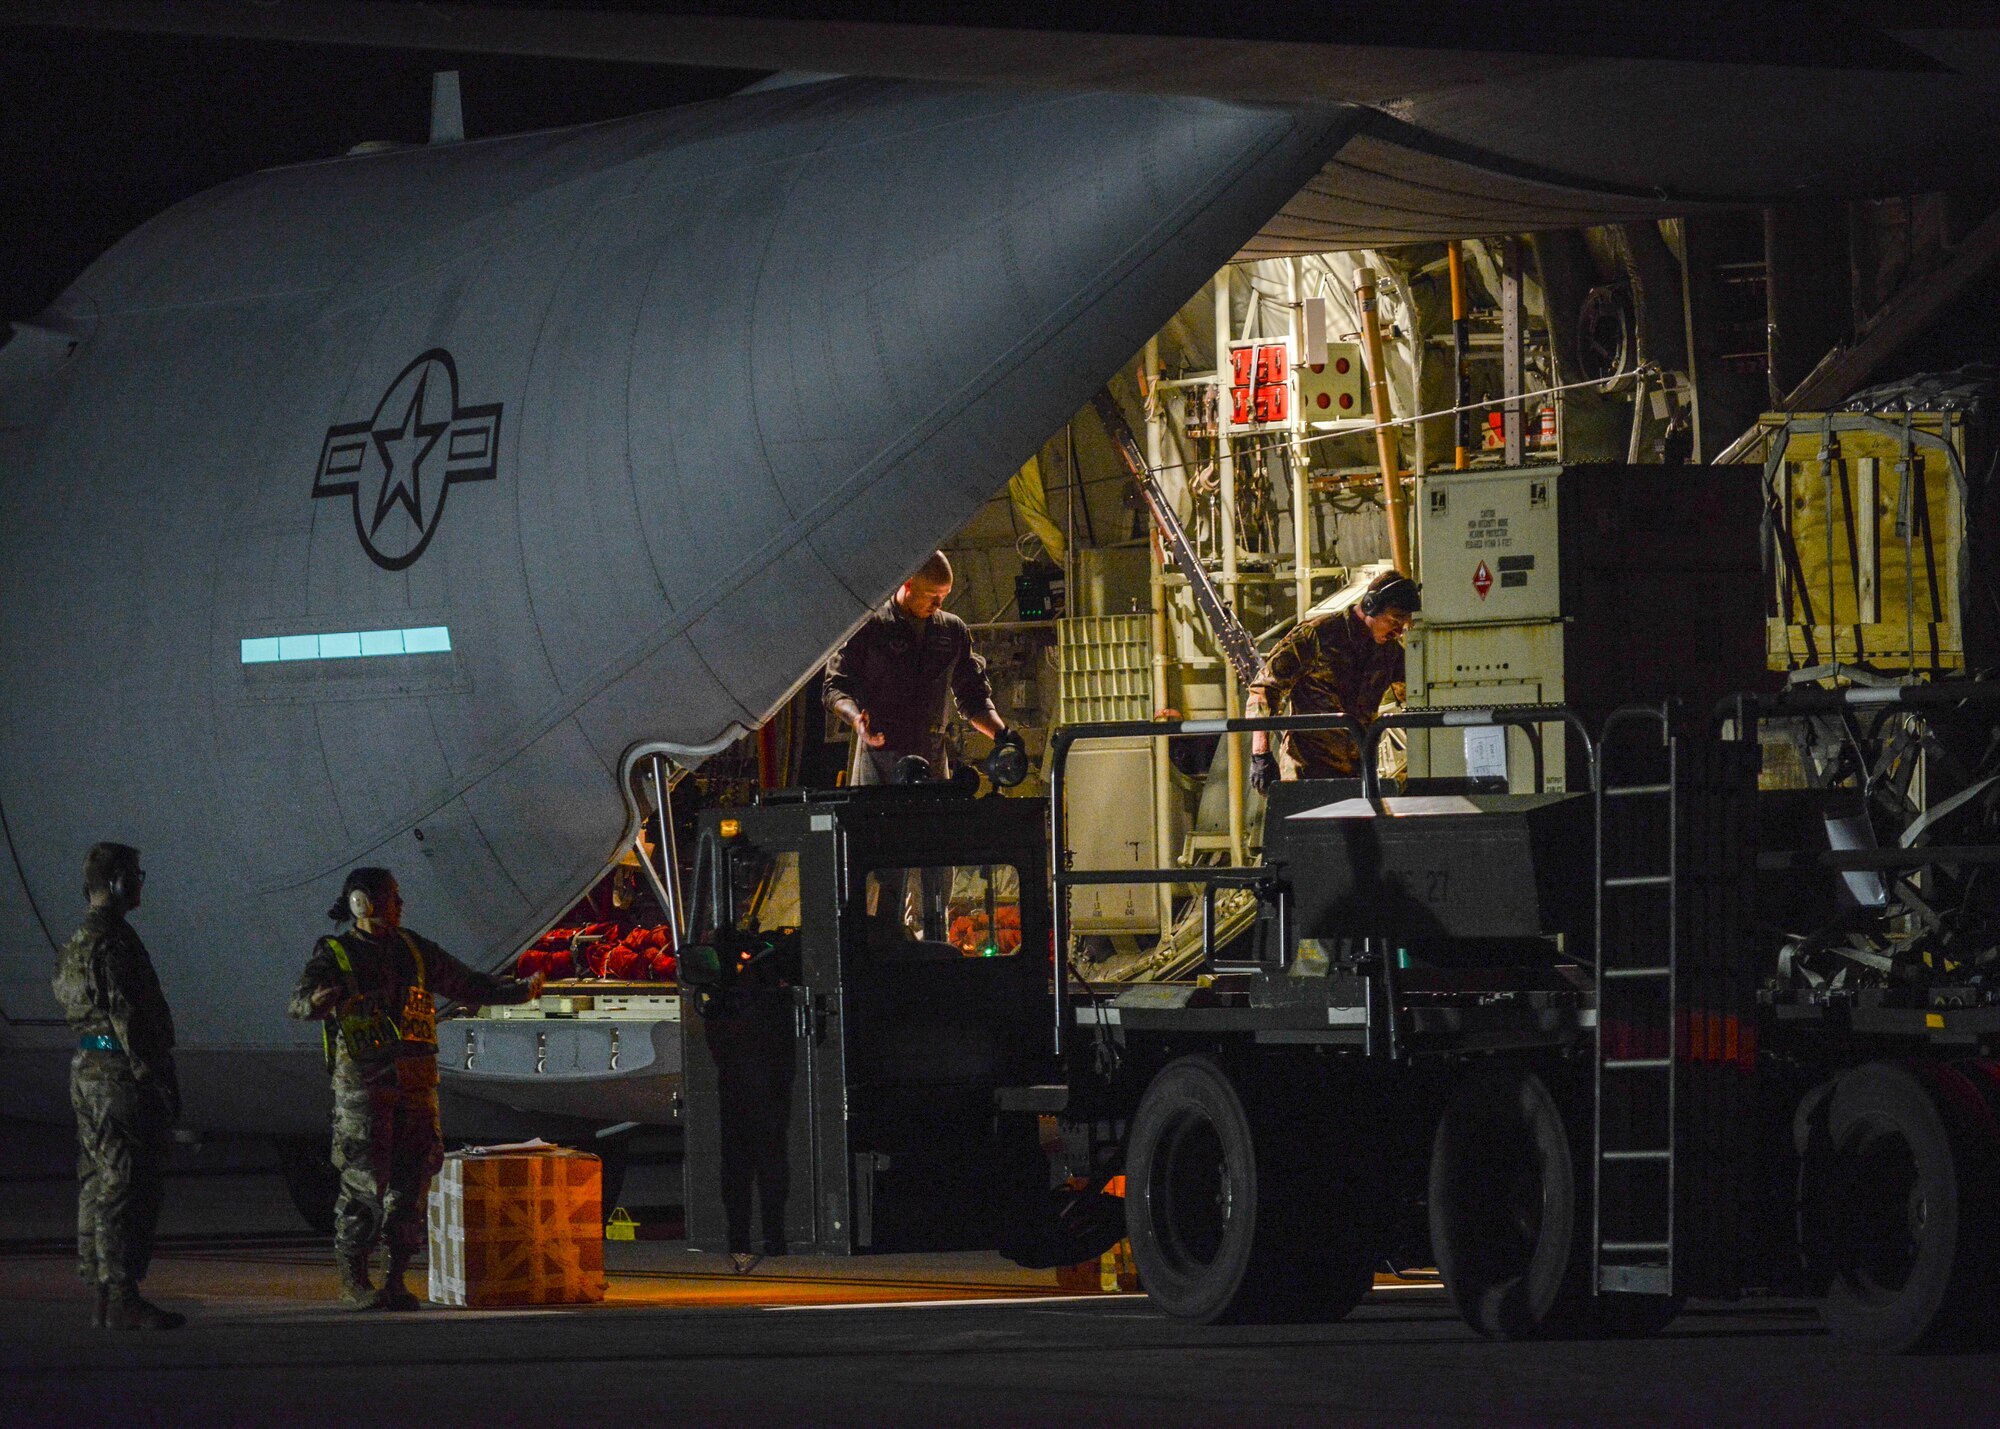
(943, 912)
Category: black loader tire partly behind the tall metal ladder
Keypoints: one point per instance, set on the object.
(1511, 1218)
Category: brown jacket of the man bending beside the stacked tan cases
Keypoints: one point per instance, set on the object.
(1331, 665)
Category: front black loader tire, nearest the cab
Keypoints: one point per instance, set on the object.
(1229, 1214)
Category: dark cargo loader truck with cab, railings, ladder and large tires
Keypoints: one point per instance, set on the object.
(1555, 1046)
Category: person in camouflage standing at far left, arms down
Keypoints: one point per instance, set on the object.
(123, 1090)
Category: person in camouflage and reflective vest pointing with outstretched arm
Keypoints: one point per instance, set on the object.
(375, 988)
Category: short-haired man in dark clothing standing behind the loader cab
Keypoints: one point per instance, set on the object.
(891, 681)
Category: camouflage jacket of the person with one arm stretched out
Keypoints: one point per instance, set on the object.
(385, 974)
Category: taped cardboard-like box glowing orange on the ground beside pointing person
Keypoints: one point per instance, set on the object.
(517, 1228)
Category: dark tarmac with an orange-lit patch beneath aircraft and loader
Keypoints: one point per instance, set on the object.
(945, 1340)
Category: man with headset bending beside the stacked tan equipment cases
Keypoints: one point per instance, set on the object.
(1337, 663)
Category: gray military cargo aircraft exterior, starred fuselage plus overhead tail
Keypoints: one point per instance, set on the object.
(387, 509)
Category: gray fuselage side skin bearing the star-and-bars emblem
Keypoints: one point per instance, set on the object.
(643, 415)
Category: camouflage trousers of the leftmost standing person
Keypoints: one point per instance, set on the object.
(123, 1138)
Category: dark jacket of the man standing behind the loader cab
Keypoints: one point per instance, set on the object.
(901, 673)
